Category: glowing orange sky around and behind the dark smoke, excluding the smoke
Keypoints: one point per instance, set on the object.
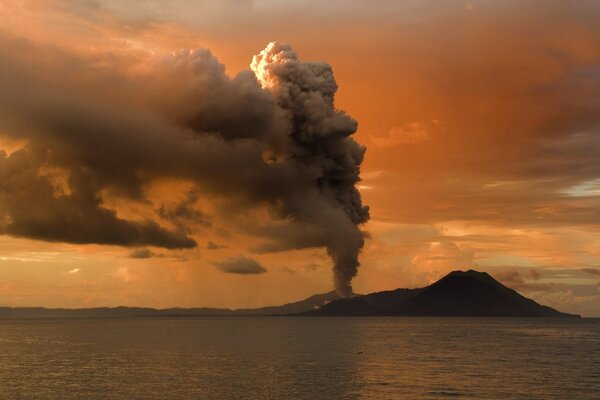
(480, 120)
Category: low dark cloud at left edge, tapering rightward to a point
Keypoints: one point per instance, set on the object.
(31, 207)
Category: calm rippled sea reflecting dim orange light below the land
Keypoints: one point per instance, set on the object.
(300, 358)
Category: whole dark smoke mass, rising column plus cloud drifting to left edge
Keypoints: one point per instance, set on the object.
(270, 137)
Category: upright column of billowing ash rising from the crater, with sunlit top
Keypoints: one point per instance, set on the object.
(321, 139)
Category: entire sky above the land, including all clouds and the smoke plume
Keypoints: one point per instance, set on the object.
(146, 163)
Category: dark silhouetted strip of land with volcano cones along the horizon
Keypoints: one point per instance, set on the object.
(458, 294)
